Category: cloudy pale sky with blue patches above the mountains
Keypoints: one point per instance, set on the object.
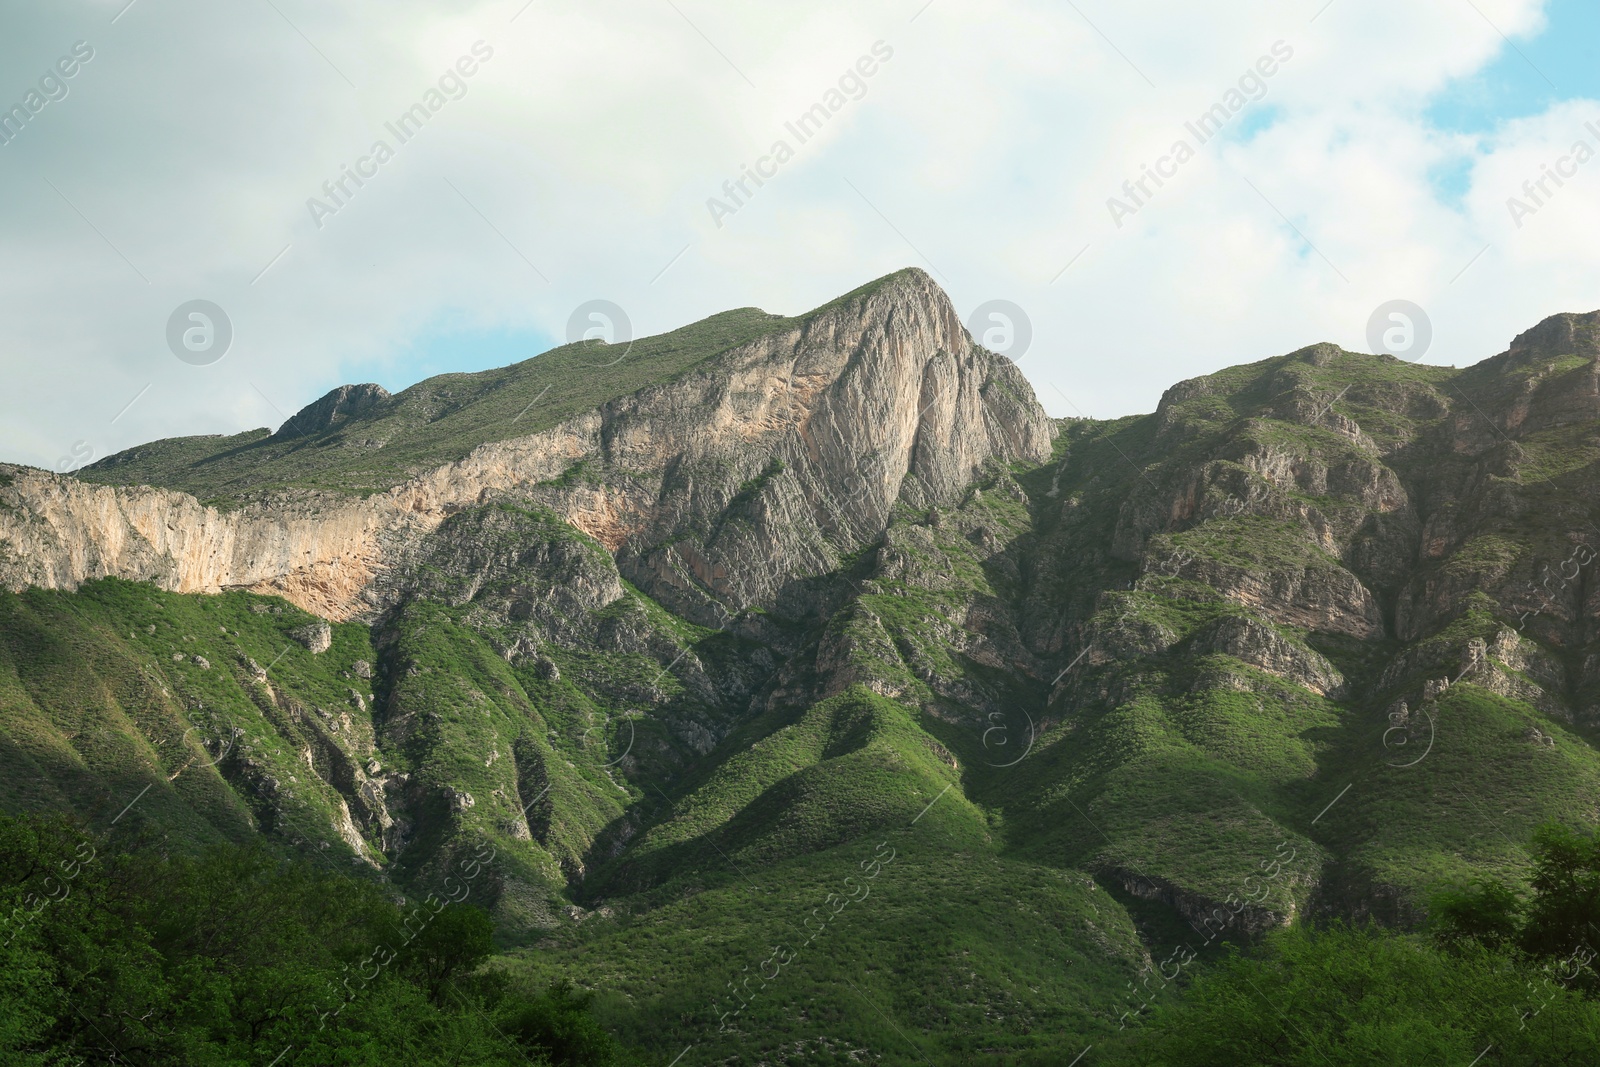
(1151, 191)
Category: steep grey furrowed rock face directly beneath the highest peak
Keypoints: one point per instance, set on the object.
(775, 458)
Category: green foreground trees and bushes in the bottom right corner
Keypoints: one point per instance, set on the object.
(1358, 996)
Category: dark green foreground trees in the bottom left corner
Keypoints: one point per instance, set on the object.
(236, 957)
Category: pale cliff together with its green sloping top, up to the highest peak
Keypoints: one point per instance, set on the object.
(732, 458)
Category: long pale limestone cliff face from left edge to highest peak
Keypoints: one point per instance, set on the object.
(758, 466)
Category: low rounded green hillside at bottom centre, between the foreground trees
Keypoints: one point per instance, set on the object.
(958, 948)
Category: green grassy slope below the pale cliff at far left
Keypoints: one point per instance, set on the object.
(102, 697)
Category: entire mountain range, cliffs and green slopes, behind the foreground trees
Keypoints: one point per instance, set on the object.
(817, 633)
